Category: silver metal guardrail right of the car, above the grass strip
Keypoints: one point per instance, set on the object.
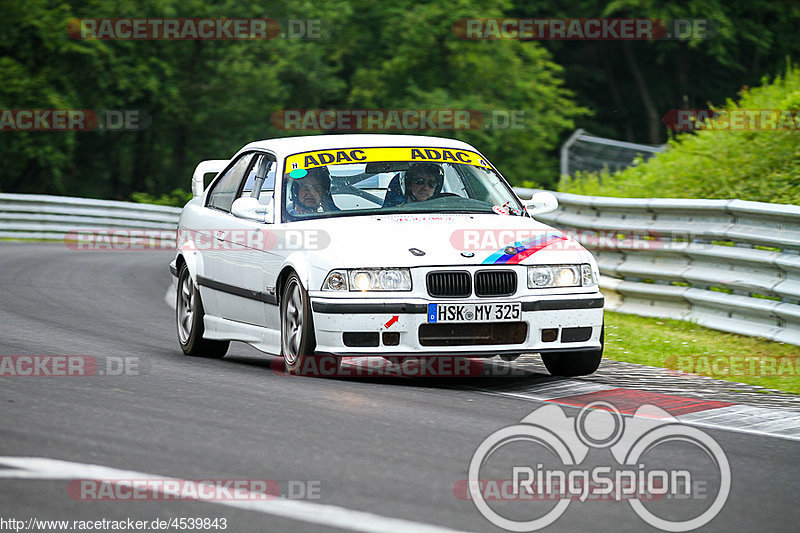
(731, 265)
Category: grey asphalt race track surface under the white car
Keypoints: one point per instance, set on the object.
(385, 454)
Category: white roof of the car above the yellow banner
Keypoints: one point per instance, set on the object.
(293, 145)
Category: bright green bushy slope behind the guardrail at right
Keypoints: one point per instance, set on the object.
(717, 163)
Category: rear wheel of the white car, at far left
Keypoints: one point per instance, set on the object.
(189, 315)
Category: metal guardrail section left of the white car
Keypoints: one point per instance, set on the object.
(43, 217)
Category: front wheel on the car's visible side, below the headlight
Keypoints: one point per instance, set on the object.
(297, 333)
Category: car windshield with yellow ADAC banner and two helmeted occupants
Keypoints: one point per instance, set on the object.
(330, 183)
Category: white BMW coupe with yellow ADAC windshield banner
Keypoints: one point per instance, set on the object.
(379, 245)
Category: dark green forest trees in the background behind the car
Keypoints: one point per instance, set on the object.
(208, 98)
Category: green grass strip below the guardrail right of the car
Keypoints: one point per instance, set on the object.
(685, 346)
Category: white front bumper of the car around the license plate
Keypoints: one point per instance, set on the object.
(567, 313)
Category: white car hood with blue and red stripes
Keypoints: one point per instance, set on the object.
(438, 239)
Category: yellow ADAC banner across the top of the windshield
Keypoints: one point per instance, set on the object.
(319, 158)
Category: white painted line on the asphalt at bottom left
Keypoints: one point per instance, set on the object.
(304, 511)
